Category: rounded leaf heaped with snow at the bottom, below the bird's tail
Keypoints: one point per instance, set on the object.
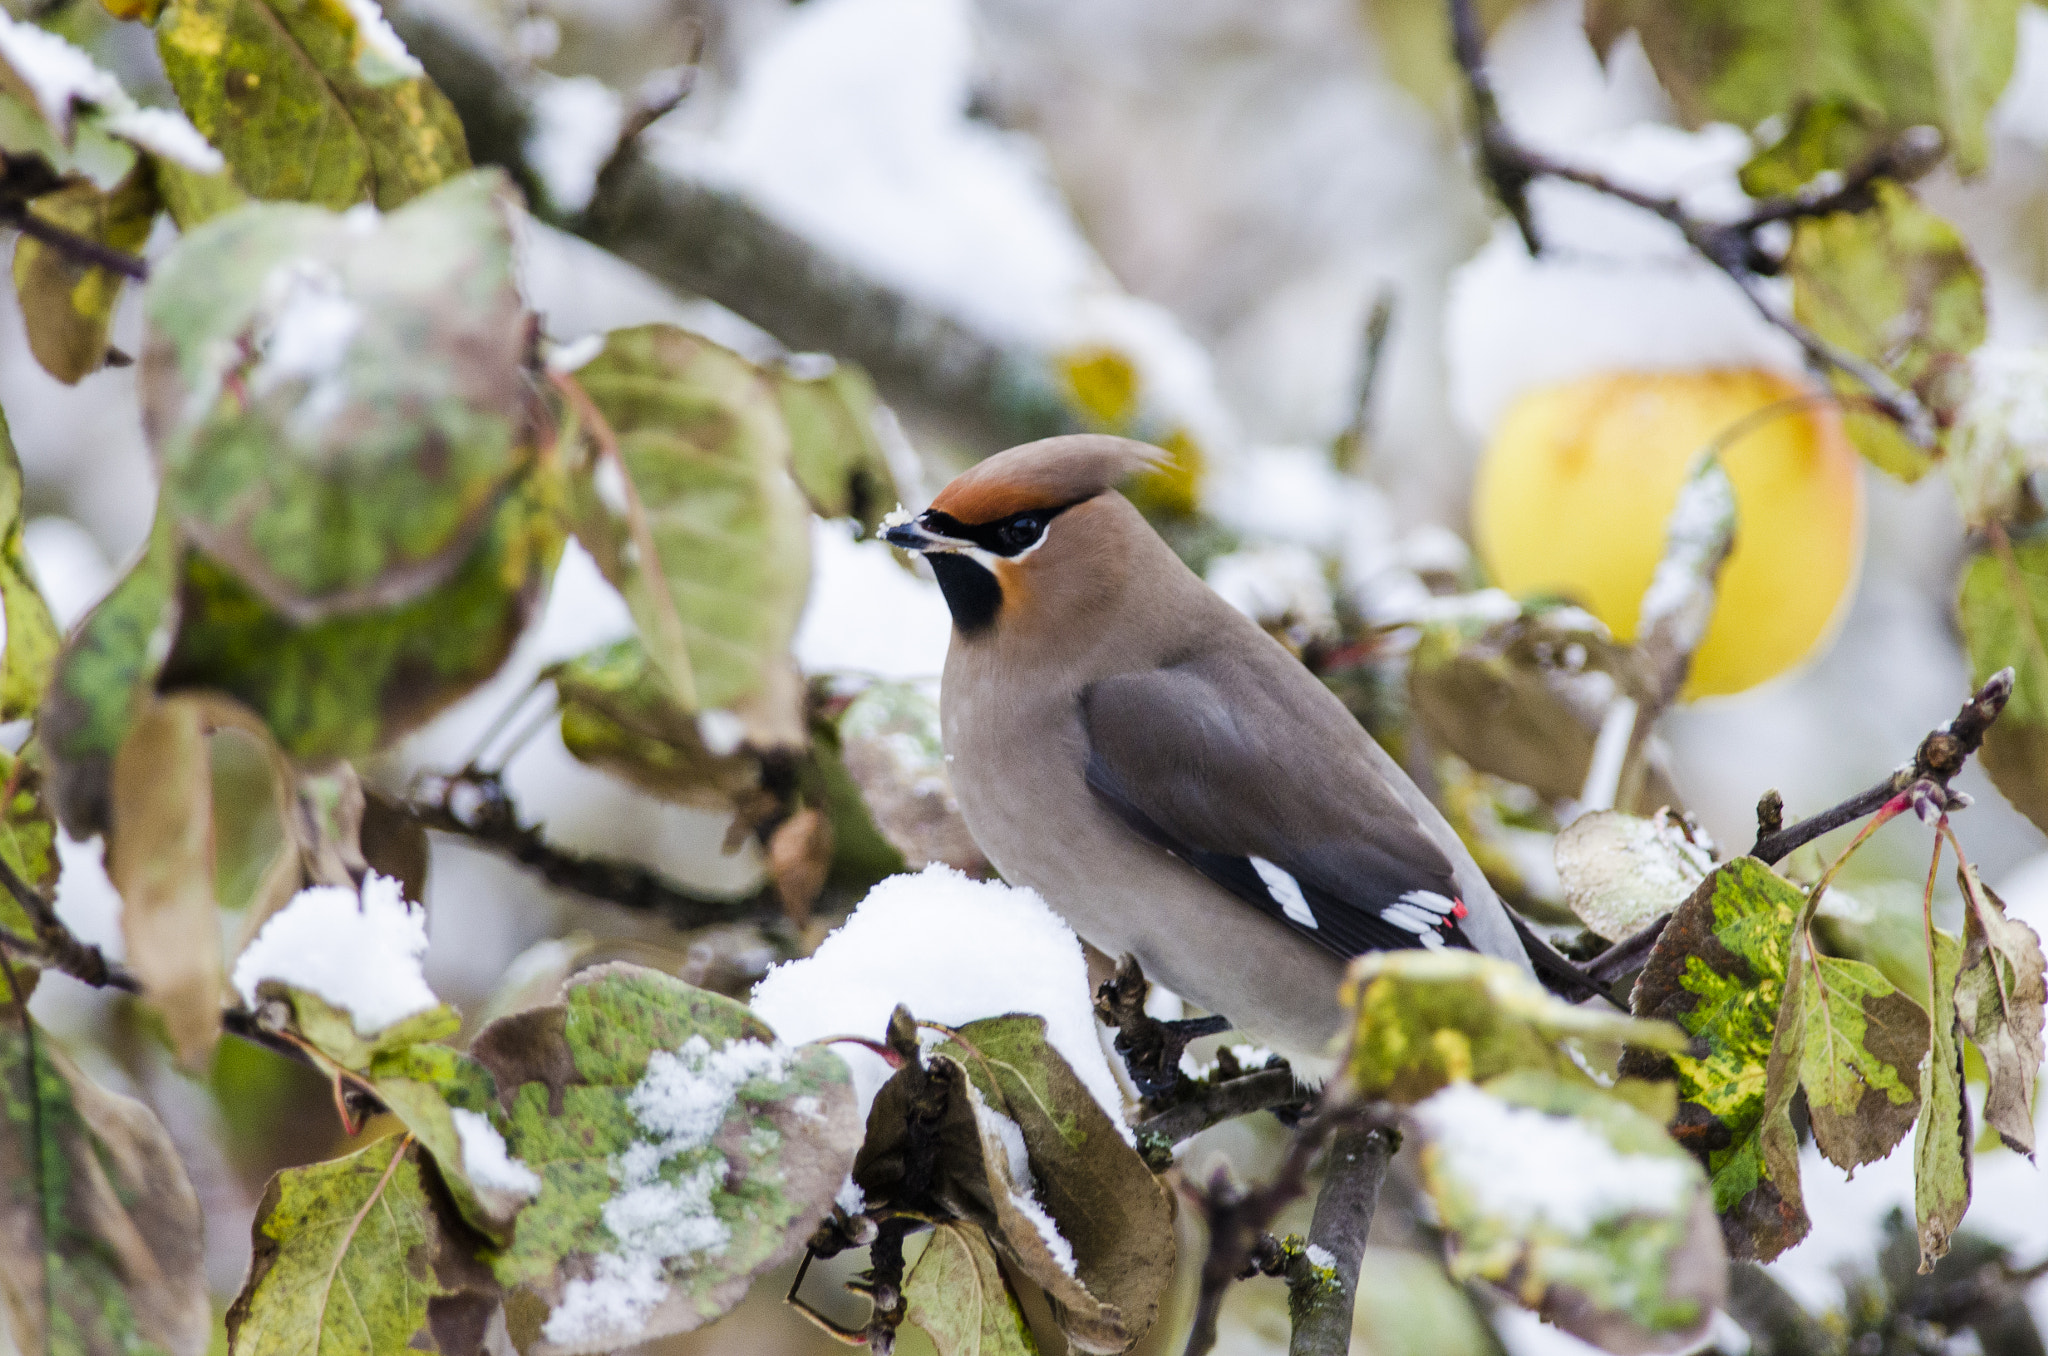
(1619, 1246)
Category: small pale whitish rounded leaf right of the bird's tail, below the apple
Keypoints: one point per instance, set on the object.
(1623, 872)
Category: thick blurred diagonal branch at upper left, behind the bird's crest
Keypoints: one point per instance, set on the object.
(714, 243)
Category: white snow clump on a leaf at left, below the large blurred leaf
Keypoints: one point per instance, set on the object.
(355, 951)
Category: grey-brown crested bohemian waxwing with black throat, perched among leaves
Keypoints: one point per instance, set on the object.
(1164, 773)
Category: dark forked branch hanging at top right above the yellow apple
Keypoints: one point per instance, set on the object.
(1732, 247)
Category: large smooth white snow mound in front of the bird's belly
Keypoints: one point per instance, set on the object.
(951, 949)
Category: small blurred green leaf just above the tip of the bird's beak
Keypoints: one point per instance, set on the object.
(835, 439)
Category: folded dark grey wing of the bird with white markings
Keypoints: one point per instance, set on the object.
(1293, 820)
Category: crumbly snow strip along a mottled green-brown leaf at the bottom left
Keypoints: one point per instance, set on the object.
(679, 1103)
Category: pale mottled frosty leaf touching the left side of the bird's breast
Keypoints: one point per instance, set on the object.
(892, 747)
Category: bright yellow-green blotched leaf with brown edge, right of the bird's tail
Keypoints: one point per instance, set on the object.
(1719, 974)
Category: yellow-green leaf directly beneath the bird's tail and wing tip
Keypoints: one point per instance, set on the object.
(1428, 1019)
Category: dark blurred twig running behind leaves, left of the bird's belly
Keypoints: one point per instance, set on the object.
(490, 820)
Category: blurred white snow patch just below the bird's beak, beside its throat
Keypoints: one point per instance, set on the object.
(869, 616)
